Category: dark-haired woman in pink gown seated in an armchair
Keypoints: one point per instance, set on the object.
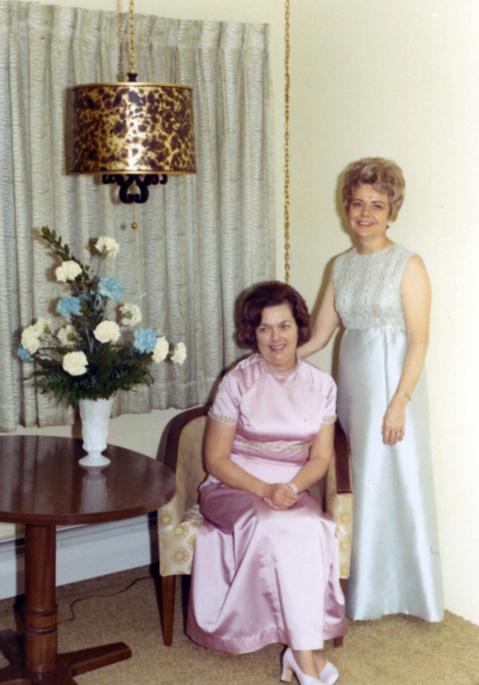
(266, 566)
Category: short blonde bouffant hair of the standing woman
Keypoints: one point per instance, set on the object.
(385, 177)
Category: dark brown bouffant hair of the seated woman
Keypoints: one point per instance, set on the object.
(250, 307)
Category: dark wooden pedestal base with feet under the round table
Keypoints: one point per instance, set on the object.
(40, 663)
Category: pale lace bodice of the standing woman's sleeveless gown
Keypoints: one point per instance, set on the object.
(367, 288)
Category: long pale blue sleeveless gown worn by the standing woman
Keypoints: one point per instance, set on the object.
(395, 566)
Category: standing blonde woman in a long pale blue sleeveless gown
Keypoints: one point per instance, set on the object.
(380, 293)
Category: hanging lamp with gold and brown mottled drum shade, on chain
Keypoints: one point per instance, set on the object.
(134, 134)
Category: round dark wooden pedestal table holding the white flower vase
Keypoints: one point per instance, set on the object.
(43, 486)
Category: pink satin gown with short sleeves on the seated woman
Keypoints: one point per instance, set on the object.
(261, 575)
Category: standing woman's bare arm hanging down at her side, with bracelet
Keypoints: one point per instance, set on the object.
(416, 299)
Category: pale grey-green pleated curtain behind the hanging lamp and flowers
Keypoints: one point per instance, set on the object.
(201, 238)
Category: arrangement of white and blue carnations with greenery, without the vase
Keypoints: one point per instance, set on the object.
(91, 356)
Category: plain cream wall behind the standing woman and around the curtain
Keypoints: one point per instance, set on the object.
(397, 78)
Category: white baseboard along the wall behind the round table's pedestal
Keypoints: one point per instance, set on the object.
(85, 551)
